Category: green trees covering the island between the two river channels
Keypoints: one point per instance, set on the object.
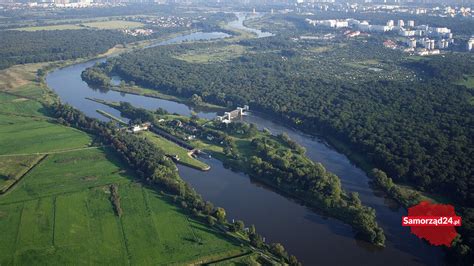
(283, 165)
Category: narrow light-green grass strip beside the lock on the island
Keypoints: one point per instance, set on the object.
(173, 149)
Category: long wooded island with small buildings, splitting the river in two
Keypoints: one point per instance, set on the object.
(281, 164)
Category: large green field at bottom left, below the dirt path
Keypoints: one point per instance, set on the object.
(60, 213)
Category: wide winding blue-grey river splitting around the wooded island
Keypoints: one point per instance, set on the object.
(312, 237)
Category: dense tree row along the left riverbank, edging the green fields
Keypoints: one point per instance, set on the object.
(154, 167)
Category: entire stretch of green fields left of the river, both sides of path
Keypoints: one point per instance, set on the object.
(60, 212)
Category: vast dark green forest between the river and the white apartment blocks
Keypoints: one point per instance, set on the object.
(419, 129)
